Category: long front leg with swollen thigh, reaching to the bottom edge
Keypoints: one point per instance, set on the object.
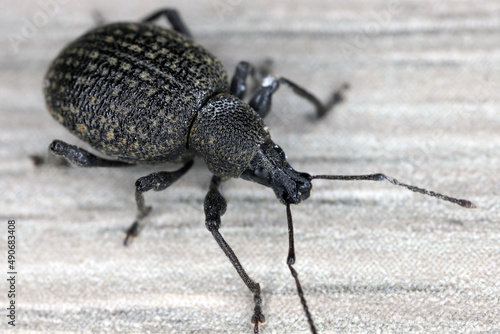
(215, 206)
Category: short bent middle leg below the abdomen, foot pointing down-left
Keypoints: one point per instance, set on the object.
(157, 181)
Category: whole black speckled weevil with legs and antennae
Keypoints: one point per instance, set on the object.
(143, 94)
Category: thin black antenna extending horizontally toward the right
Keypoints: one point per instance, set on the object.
(380, 177)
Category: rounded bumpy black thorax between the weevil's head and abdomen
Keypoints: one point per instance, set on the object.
(227, 133)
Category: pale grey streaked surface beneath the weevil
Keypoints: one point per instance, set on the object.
(422, 107)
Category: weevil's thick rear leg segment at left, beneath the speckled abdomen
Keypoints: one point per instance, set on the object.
(82, 158)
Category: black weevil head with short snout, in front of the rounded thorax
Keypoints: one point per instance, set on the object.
(270, 168)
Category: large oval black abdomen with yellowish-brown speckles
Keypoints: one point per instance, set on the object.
(132, 90)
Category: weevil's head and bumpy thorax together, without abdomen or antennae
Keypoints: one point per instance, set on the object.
(234, 142)
